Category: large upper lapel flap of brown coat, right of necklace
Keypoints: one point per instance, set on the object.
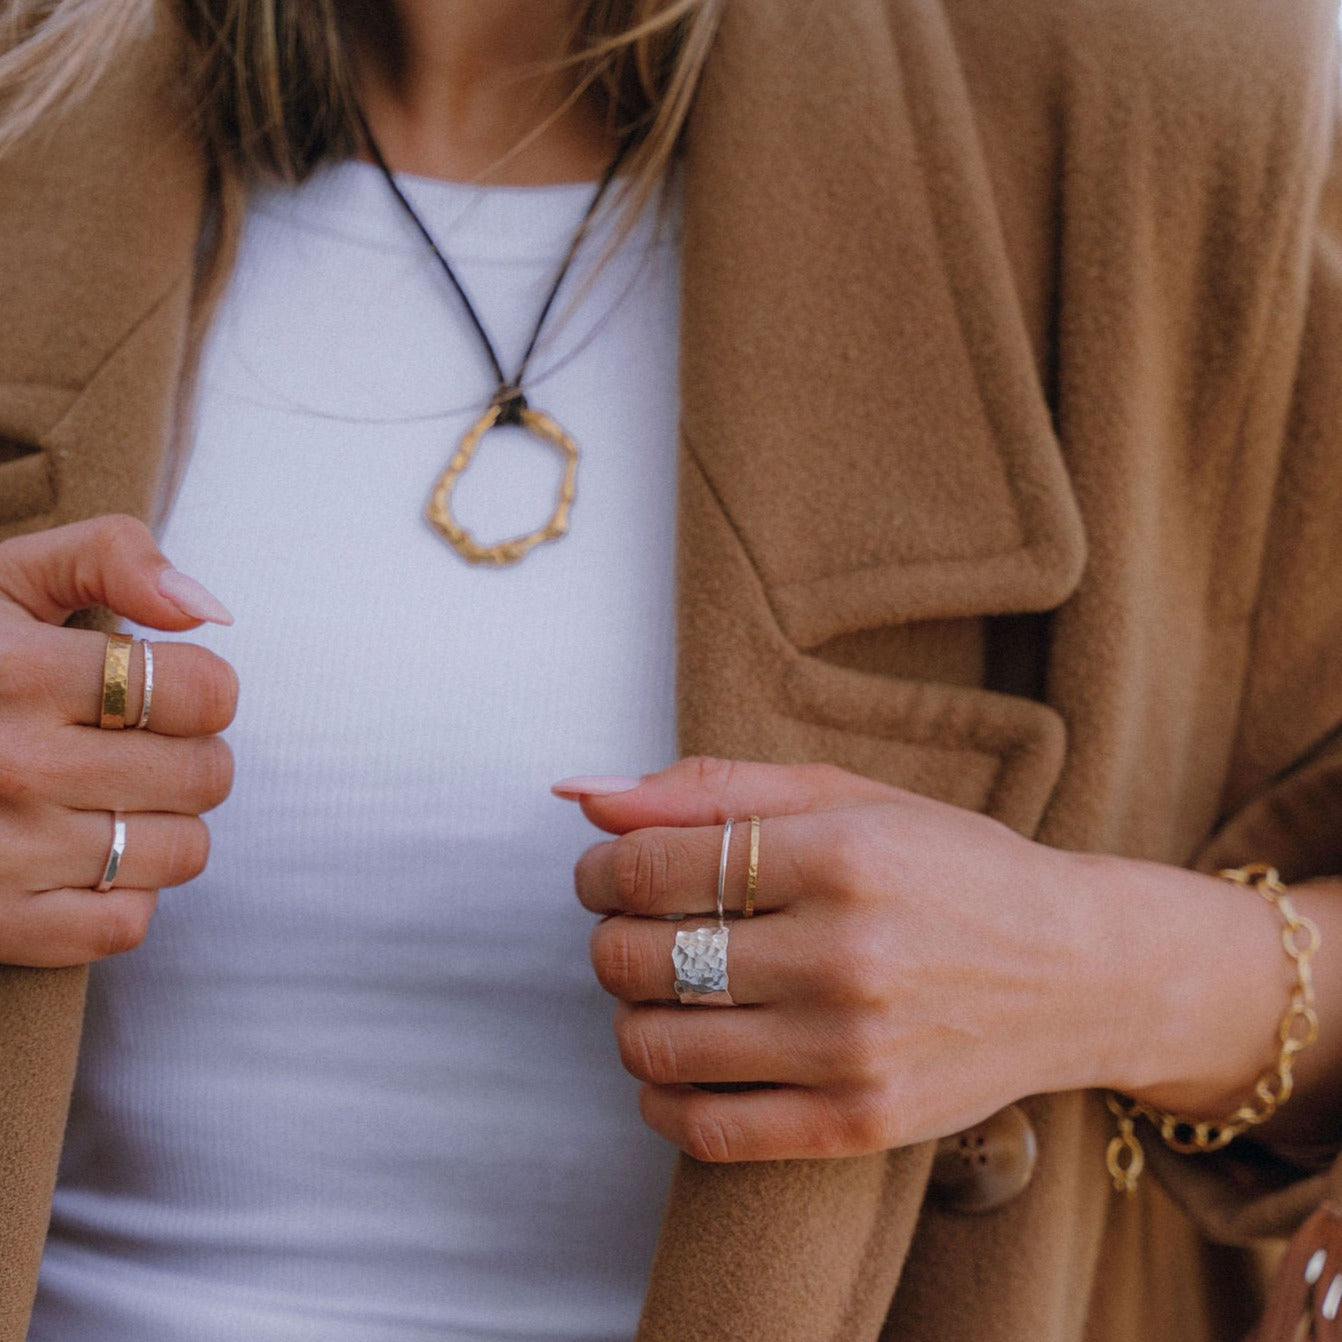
(861, 393)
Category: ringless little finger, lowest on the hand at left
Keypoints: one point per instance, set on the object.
(64, 928)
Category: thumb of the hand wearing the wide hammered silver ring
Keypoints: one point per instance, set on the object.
(705, 791)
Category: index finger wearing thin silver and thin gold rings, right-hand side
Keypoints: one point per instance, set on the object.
(654, 873)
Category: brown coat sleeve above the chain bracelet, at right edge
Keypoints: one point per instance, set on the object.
(1285, 803)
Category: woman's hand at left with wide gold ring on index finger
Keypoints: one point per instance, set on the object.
(62, 778)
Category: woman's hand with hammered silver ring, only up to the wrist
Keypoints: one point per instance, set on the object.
(912, 967)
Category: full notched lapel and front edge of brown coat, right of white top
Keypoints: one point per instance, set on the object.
(865, 442)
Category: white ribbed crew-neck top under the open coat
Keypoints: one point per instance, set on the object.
(360, 1082)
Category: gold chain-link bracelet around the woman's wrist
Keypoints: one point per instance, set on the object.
(1298, 1030)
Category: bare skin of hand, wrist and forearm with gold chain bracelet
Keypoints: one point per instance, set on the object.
(912, 968)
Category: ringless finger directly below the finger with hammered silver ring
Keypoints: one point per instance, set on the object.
(668, 1046)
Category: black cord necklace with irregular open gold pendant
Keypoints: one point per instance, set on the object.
(509, 405)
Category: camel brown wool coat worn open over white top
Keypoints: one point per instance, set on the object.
(1011, 473)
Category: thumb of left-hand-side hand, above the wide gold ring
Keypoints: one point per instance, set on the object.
(112, 562)
